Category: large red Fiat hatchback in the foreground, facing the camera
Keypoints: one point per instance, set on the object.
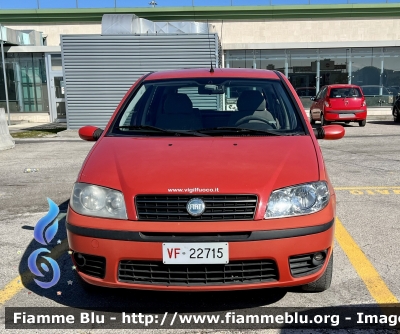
(181, 193)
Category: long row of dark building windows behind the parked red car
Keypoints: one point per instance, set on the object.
(376, 70)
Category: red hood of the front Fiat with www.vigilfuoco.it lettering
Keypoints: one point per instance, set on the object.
(228, 165)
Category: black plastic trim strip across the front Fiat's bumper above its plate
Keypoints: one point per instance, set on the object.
(200, 237)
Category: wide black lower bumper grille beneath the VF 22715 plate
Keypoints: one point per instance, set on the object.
(236, 272)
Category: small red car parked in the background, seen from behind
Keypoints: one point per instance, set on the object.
(339, 103)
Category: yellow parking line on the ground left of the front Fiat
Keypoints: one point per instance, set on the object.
(12, 288)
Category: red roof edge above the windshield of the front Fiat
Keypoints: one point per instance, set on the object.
(242, 73)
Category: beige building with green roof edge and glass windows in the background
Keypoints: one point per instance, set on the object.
(313, 45)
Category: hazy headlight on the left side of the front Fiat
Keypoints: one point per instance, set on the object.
(91, 200)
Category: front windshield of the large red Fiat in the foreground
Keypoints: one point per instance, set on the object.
(209, 107)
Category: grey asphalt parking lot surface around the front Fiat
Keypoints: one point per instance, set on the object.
(364, 170)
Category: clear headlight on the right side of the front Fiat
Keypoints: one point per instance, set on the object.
(297, 200)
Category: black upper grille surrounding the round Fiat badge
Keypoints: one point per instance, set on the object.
(218, 207)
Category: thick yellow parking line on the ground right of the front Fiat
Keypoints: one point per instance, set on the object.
(364, 268)
